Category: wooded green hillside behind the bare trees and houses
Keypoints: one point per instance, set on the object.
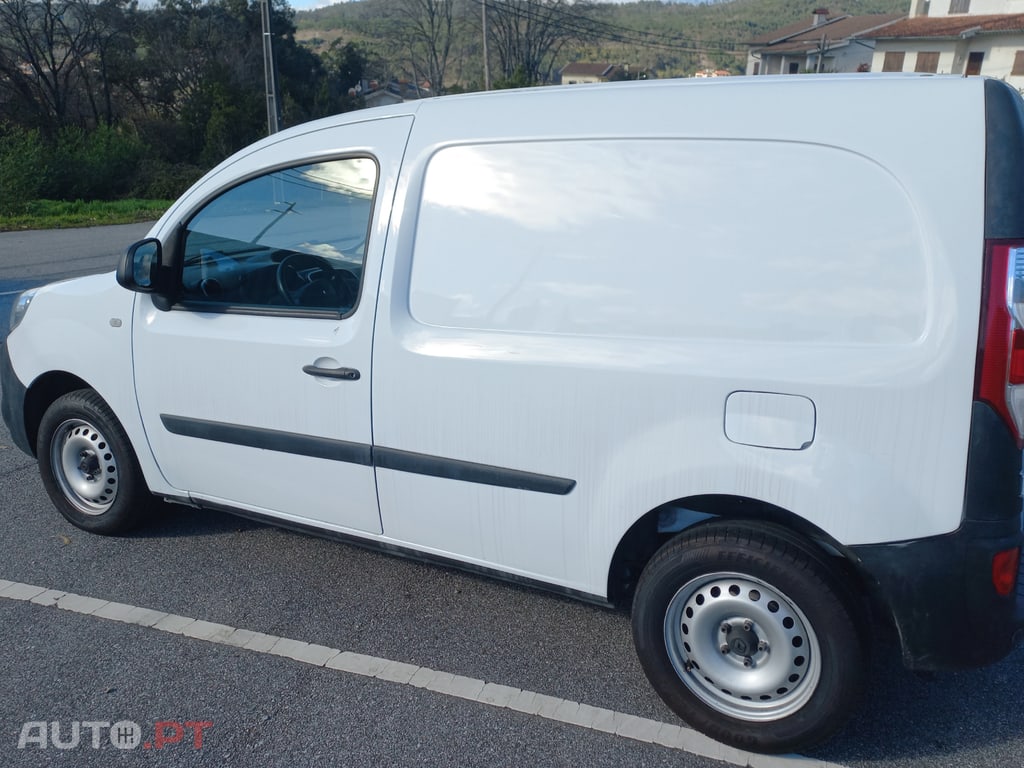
(656, 38)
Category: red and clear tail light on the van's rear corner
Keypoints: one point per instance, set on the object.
(1000, 380)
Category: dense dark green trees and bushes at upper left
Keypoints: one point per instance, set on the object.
(104, 99)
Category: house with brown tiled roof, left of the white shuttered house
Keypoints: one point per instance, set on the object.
(825, 44)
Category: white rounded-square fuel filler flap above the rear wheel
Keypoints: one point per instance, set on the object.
(770, 420)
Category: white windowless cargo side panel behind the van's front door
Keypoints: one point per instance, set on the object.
(577, 292)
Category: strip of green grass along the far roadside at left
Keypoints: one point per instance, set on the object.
(56, 215)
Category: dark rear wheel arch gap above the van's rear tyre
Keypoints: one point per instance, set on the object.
(658, 527)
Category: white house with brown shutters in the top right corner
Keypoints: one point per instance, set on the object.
(956, 37)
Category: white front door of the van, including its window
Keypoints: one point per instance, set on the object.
(254, 389)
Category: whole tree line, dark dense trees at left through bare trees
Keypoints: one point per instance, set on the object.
(107, 99)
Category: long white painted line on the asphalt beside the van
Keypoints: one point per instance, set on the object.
(492, 695)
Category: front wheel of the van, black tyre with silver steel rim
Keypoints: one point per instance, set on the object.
(89, 466)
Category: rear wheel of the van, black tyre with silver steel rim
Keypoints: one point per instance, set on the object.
(751, 636)
